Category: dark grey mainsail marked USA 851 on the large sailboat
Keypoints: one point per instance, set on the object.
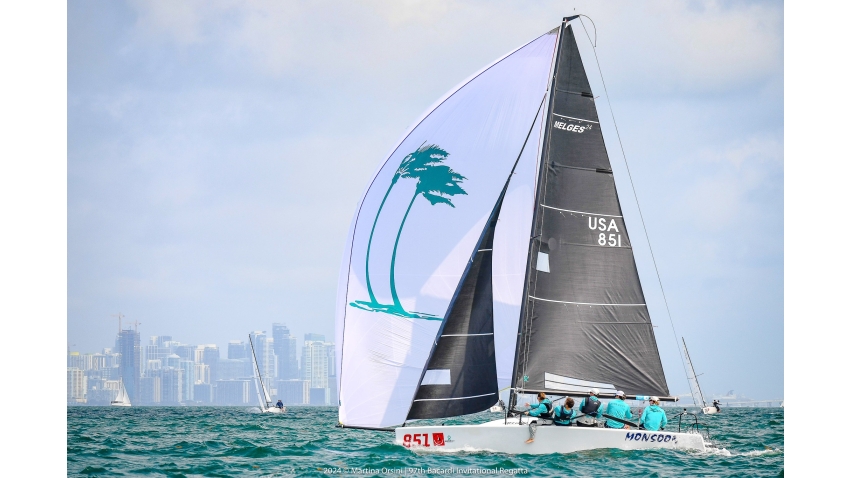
(585, 322)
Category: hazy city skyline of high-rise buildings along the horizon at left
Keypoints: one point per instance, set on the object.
(163, 371)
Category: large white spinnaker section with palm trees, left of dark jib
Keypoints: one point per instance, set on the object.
(482, 125)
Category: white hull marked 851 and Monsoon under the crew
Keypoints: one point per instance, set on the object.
(498, 437)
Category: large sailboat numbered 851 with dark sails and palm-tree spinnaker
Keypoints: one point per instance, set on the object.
(514, 269)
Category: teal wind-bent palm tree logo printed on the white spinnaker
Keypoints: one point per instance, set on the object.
(435, 181)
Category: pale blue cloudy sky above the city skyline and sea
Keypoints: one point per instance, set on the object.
(217, 150)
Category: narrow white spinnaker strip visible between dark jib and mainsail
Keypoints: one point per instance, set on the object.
(510, 253)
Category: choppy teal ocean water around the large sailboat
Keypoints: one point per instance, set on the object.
(233, 441)
